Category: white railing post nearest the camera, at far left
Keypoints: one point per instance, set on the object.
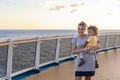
(9, 60)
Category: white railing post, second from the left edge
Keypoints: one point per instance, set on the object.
(37, 58)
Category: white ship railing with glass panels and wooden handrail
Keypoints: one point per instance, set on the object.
(20, 55)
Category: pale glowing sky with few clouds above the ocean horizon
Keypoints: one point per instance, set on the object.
(59, 14)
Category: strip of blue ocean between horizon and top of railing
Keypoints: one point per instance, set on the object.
(28, 33)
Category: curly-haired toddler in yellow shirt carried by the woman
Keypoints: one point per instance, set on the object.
(91, 42)
